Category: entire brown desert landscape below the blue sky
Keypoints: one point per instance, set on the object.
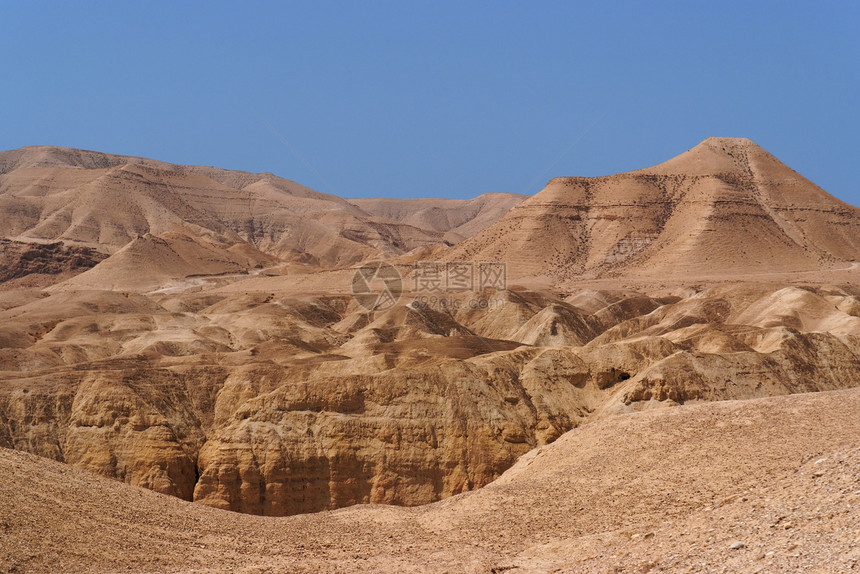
(663, 378)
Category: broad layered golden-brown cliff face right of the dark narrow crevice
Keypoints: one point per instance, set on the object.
(398, 437)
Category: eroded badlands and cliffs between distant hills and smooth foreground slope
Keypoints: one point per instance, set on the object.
(270, 405)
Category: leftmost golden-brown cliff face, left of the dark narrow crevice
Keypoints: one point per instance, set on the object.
(120, 419)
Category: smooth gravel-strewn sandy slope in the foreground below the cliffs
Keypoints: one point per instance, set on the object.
(768, 485)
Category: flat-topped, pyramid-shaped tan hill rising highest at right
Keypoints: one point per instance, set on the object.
(724, 207)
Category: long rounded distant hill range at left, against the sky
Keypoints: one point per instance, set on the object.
(104, 201)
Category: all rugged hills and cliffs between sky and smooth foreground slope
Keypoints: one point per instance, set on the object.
(195, 333)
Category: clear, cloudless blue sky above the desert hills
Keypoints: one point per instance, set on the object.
(445, 99)
